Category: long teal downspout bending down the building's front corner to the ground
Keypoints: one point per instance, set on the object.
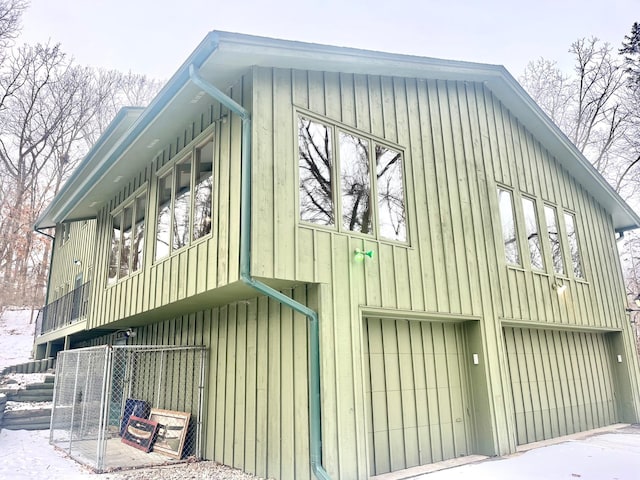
(315, 414)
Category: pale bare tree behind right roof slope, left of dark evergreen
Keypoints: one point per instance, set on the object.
(589, 105)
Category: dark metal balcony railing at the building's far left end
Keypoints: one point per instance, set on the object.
(67, 310)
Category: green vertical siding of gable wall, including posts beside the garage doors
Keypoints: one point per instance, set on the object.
(459, 144)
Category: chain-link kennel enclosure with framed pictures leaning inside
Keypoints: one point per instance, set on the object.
(120, 407)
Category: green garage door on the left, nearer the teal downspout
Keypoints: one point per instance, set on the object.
(417, 389)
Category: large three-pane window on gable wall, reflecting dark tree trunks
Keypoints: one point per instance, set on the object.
(369, 190)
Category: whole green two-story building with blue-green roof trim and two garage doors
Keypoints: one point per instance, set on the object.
(392, 260)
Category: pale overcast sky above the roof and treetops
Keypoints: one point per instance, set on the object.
(154, 37)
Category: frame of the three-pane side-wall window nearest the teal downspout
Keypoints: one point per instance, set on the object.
(188, 153)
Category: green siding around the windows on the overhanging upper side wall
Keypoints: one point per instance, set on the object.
(209, 263)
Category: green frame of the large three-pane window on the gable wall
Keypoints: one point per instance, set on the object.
(336, 129)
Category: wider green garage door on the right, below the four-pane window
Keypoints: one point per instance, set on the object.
(561, 382)
